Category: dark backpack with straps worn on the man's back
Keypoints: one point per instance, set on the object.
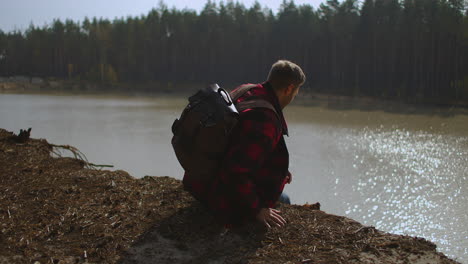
(201, 134)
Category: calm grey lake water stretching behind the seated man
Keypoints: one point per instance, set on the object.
(403, 171)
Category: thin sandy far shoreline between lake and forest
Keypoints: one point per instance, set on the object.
(21, 84)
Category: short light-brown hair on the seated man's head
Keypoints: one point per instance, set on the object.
(283, 73)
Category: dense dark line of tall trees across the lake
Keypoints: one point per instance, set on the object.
(409, 49)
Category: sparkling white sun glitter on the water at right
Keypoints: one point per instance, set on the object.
(412, 181)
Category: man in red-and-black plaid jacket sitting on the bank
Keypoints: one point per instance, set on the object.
(255, 169)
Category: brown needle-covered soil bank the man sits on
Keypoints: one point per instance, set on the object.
(54, 210)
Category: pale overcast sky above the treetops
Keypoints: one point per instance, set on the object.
(18, 14)
